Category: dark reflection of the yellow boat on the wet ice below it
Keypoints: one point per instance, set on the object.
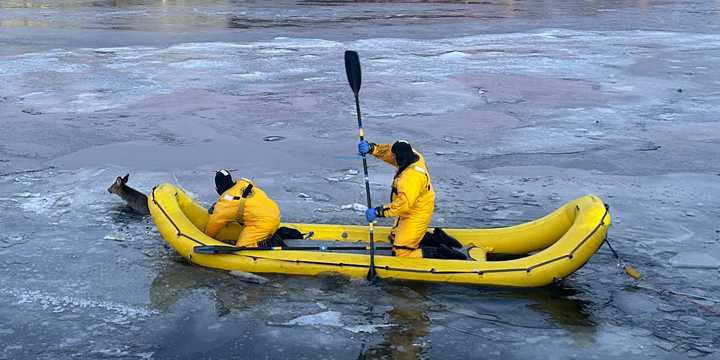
(394, 319)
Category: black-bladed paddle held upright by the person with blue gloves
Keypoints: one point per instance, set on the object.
(352, 69)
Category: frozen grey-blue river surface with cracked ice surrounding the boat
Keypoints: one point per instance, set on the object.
(518, 106)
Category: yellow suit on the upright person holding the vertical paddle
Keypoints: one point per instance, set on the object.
(412, 200)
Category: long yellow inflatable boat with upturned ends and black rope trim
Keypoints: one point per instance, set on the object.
(540, 252)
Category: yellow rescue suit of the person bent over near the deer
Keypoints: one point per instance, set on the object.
(251, 207)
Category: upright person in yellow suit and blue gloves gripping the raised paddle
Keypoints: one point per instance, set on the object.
(412, 201)
